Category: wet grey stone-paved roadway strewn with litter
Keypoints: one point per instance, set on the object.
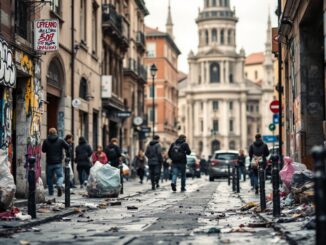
(208, 213)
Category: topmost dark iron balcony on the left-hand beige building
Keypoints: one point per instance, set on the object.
(115, 26)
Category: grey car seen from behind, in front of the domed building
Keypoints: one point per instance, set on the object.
(218, 166)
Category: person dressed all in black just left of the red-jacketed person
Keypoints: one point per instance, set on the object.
(83, 154)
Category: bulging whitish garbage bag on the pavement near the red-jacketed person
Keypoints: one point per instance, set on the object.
(103, 181)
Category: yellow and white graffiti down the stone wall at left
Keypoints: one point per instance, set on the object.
(33, 109)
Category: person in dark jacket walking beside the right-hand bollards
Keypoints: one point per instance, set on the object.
(258, 151)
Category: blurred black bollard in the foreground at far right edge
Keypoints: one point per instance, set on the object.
(319, 154)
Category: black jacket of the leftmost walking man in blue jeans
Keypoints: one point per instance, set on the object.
(53, 146)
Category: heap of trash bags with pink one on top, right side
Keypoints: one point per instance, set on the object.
(297, 182)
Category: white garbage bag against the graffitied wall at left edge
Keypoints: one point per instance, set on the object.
(7, 184)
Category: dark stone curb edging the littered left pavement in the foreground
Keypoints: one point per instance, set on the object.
(5, 232)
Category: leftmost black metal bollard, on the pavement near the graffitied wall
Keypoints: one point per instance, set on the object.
(31, 203)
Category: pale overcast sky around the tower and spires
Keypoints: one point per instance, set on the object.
(251, 28)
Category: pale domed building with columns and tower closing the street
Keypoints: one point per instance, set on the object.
(218, 107)
